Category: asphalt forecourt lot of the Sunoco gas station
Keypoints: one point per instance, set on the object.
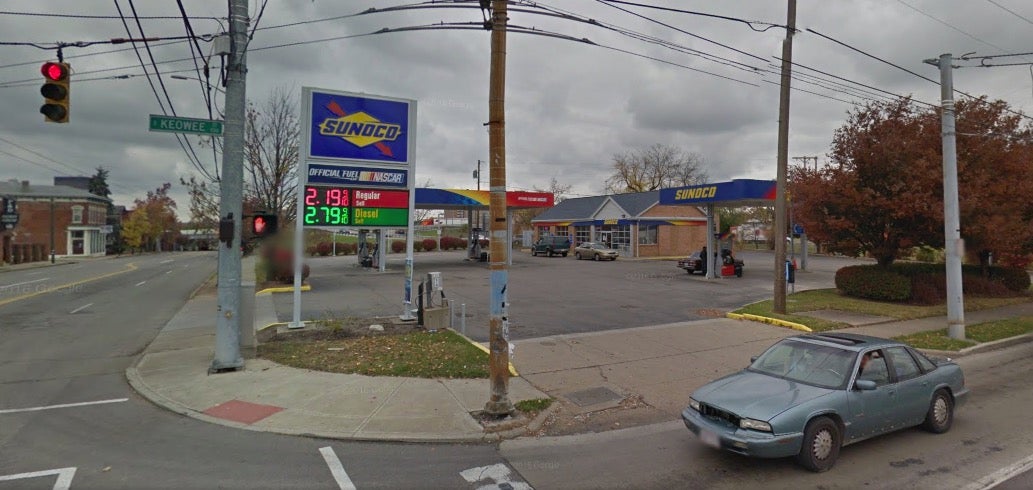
(549, 296)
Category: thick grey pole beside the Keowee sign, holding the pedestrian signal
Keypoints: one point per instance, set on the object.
(228, 332)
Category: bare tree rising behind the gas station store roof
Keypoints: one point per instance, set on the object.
(655, 168)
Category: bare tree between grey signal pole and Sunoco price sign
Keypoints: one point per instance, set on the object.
(271, 137)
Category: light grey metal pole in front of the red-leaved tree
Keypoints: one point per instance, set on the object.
(952, 222)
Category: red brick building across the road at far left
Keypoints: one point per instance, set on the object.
(59, 219)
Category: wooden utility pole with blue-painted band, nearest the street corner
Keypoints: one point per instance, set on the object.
(498, 359)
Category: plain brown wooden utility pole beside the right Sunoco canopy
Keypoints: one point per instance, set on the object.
(784, 161)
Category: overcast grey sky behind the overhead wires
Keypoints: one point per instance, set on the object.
(570, 106)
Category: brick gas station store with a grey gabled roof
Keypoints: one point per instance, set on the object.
(635, 224)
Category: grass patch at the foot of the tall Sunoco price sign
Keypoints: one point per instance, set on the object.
(444, 354)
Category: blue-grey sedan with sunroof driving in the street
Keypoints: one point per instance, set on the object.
(809, 395)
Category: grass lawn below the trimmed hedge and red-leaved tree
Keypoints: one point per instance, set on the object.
(833, 300)
